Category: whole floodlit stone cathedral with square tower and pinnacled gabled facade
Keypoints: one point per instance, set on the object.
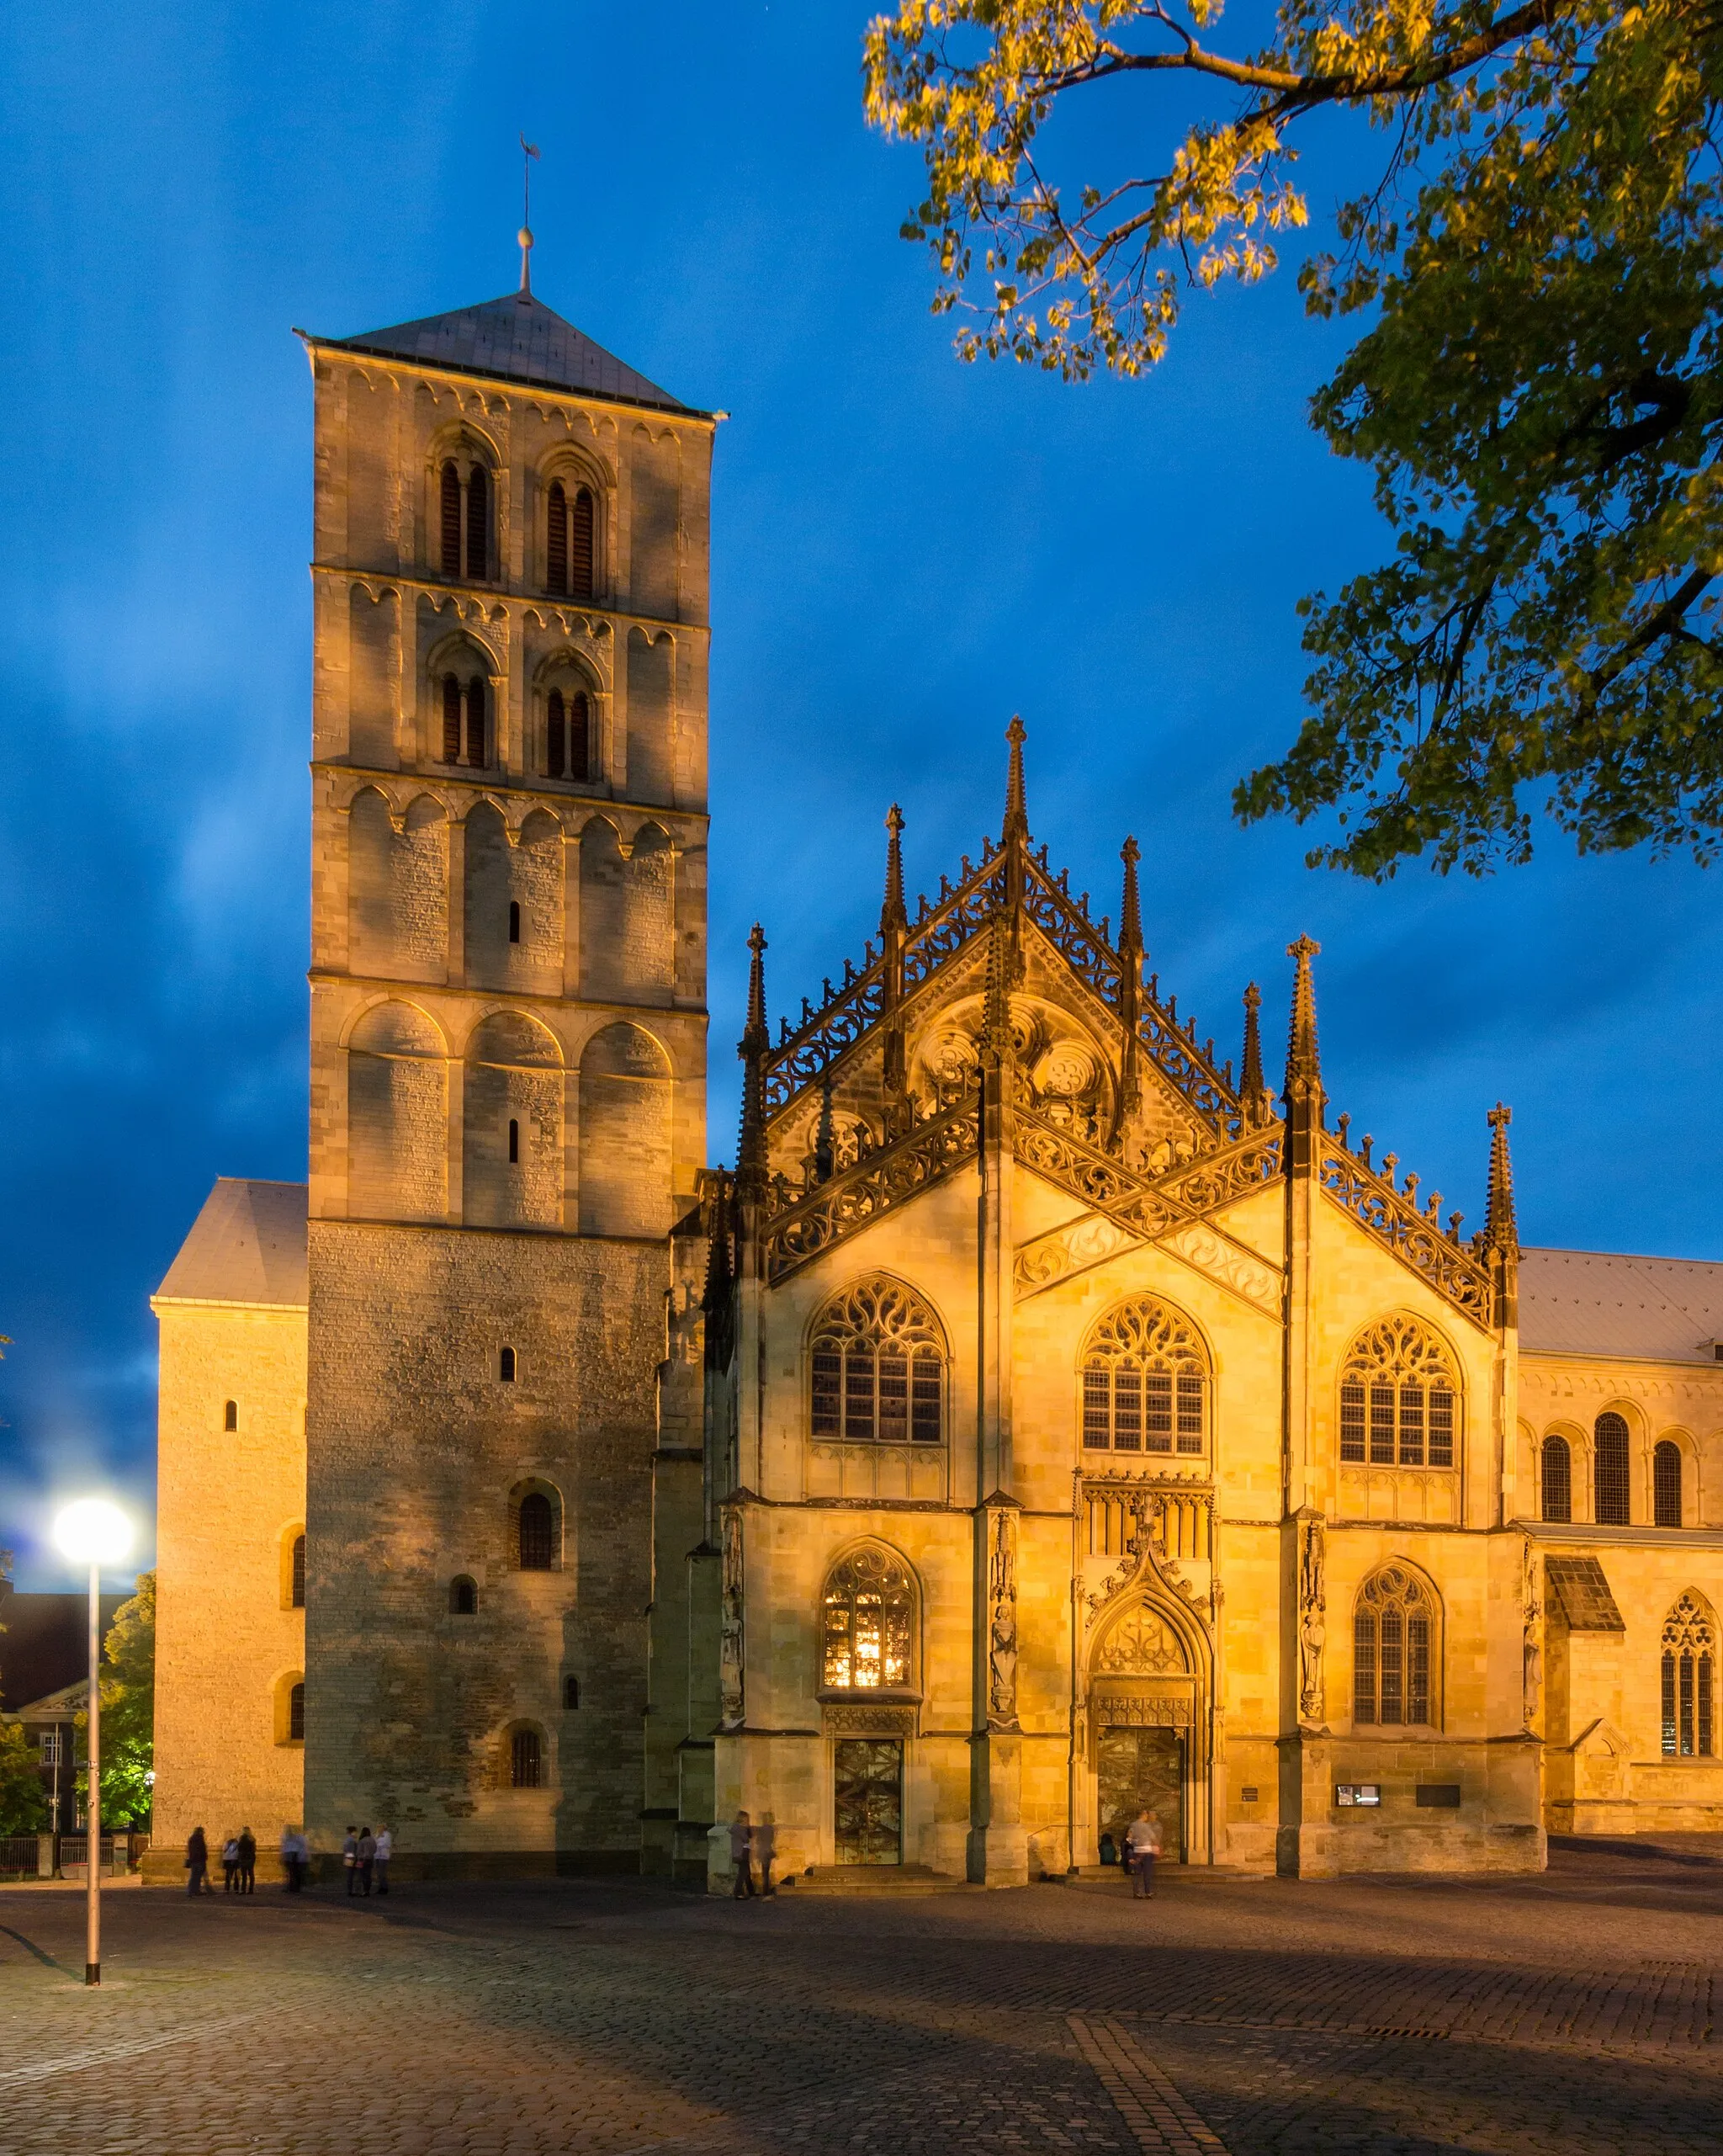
(1043, 1422)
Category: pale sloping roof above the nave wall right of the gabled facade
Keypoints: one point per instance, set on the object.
(1599, 1303)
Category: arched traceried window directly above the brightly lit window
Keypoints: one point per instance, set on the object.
(879, 1368)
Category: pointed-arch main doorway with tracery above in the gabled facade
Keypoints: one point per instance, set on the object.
(1148, 1728)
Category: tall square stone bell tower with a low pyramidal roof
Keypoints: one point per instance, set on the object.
(508, 1077)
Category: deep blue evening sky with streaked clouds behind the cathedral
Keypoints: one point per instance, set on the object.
(905, 553)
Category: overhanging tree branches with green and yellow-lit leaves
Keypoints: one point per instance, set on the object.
(1539, 391)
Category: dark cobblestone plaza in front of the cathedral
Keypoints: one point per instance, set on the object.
(1565, 2013)
